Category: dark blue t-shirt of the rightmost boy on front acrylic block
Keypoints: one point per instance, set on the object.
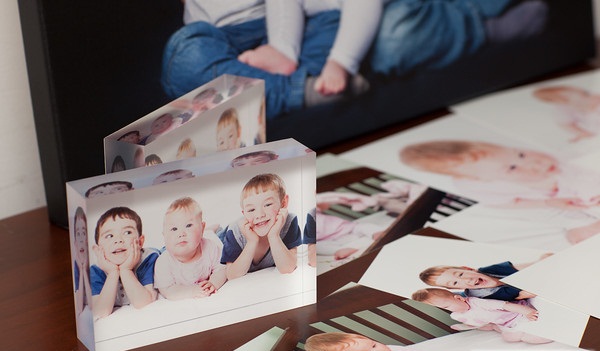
(234, 242)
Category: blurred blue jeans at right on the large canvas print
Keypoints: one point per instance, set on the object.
(422, 34)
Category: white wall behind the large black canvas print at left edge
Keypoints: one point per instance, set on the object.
(21, 185)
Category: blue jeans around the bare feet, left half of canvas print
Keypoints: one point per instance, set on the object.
(200, 52)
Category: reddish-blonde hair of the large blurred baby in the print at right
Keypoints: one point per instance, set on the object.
(444, 156)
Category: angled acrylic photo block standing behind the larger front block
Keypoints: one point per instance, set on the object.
(224, 114)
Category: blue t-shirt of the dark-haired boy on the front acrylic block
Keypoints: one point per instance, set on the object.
(144, 273)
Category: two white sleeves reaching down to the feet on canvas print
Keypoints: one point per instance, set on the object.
(358, 25)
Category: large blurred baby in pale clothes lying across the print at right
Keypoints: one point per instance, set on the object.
(496, 174)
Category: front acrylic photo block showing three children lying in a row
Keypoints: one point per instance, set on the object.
(259, 194)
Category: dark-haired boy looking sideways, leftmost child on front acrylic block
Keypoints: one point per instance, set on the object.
(124, 273)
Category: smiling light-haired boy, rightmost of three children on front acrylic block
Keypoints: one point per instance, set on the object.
(267, 235)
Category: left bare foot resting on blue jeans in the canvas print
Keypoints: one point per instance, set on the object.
(269, 59)
